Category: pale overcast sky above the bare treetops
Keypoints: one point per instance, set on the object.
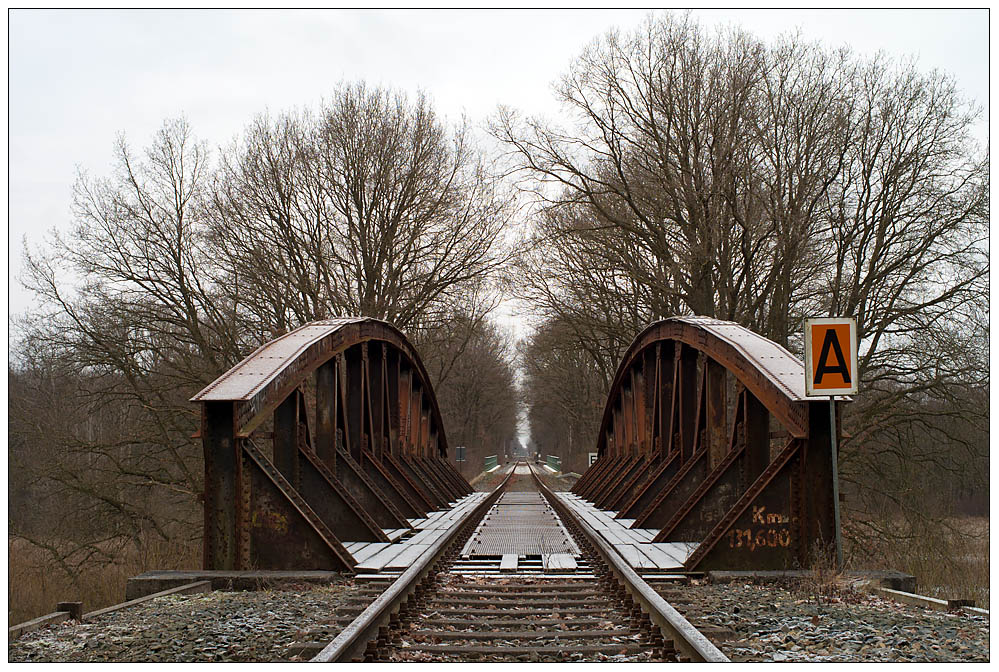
(78, 78)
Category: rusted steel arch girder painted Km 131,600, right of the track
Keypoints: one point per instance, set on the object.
(708, 439)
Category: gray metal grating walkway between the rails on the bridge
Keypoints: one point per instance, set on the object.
(520, 523)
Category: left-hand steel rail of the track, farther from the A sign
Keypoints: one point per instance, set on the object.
(352, 641)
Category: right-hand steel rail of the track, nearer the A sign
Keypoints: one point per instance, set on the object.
(686, 638)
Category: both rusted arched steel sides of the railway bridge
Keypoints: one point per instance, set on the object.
(709, 454)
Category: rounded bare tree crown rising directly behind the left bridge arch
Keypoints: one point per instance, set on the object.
(371, 206)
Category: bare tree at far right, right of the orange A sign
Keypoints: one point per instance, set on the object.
(908, 224)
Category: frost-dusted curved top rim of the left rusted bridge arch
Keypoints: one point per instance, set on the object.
(266, 377)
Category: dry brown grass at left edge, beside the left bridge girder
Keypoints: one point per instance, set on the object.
(36, 583)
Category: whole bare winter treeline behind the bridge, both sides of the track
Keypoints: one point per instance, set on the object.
(698, 173)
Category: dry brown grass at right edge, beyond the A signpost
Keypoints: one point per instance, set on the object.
(949, 561)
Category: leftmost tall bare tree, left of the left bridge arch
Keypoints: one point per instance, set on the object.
(143, 327)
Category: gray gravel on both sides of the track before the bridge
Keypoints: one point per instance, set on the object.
(748, 622)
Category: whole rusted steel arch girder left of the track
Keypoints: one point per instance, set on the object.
(372, 456)
